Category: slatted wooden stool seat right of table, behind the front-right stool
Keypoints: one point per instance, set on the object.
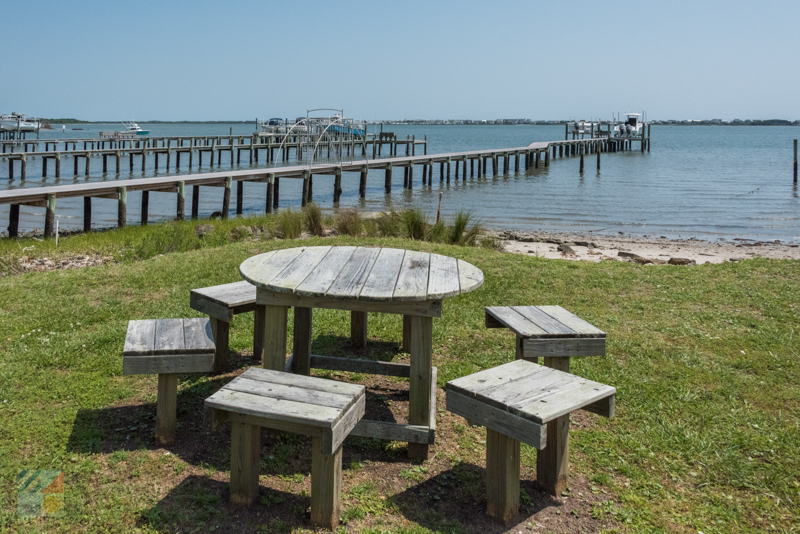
(547, 331)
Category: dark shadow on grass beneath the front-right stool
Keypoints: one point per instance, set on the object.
(455, 501)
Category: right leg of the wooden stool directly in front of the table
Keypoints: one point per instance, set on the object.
(326, 475)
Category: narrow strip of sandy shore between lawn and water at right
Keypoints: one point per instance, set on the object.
(645, 250)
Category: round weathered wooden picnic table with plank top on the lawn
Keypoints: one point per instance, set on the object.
(361, 279)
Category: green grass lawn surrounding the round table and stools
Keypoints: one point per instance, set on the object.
(705, 360)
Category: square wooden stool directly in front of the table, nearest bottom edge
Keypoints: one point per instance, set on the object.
(326, 410)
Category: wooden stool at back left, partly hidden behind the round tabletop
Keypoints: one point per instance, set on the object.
(221, 303)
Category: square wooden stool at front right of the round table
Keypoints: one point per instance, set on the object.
(525, 402)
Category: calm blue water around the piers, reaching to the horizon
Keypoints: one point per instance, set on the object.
(707, 182)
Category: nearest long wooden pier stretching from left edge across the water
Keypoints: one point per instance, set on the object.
(531, 156)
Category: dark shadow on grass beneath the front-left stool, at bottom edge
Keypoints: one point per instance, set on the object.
(202, 503)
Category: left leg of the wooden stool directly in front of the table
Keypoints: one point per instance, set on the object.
(245, 462)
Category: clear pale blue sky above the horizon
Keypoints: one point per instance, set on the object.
(241, 60)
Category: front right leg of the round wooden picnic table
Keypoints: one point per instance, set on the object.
(419, 402)
